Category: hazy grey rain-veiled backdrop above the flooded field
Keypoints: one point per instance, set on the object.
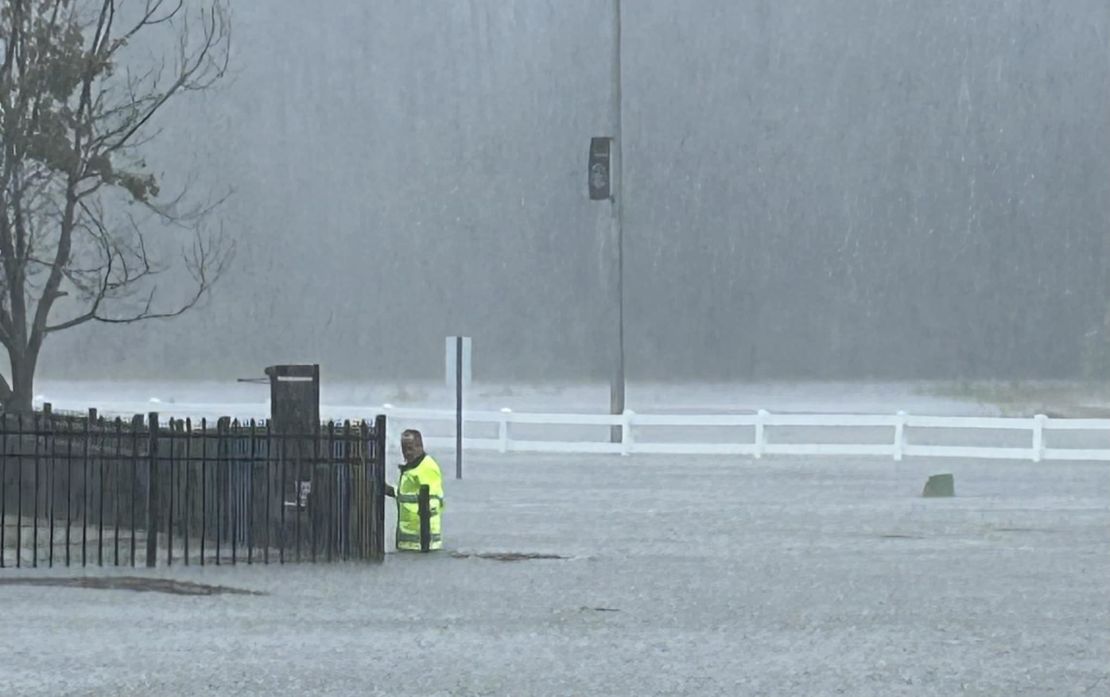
(814, 189)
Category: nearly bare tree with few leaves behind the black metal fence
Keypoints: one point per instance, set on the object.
(80, 93)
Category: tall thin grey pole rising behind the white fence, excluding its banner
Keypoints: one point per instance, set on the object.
(618, 382)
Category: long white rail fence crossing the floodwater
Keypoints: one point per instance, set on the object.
(900, 436)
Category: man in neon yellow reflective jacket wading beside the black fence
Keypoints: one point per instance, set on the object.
(420, 470)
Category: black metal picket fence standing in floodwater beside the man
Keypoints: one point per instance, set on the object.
(83, 490)
